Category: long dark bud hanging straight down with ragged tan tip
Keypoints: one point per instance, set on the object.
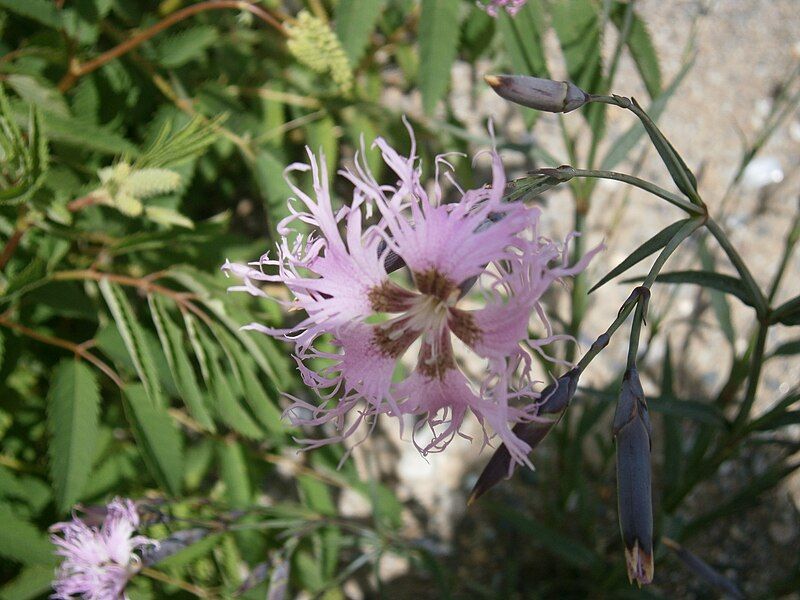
(632, 433)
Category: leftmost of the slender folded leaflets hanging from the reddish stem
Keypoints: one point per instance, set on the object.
(133, 336)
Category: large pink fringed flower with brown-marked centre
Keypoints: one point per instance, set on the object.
(338, 277)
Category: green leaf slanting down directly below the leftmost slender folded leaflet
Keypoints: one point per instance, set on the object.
(157, 438)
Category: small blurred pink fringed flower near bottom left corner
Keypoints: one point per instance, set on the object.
(98, 561)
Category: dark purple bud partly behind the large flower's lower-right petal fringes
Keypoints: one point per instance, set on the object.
(555, 399)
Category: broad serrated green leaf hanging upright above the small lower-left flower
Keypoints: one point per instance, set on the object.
(72, 410)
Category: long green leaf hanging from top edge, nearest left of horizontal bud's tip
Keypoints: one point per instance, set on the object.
(438, 42)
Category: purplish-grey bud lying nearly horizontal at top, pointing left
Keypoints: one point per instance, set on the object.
(541, 94)
